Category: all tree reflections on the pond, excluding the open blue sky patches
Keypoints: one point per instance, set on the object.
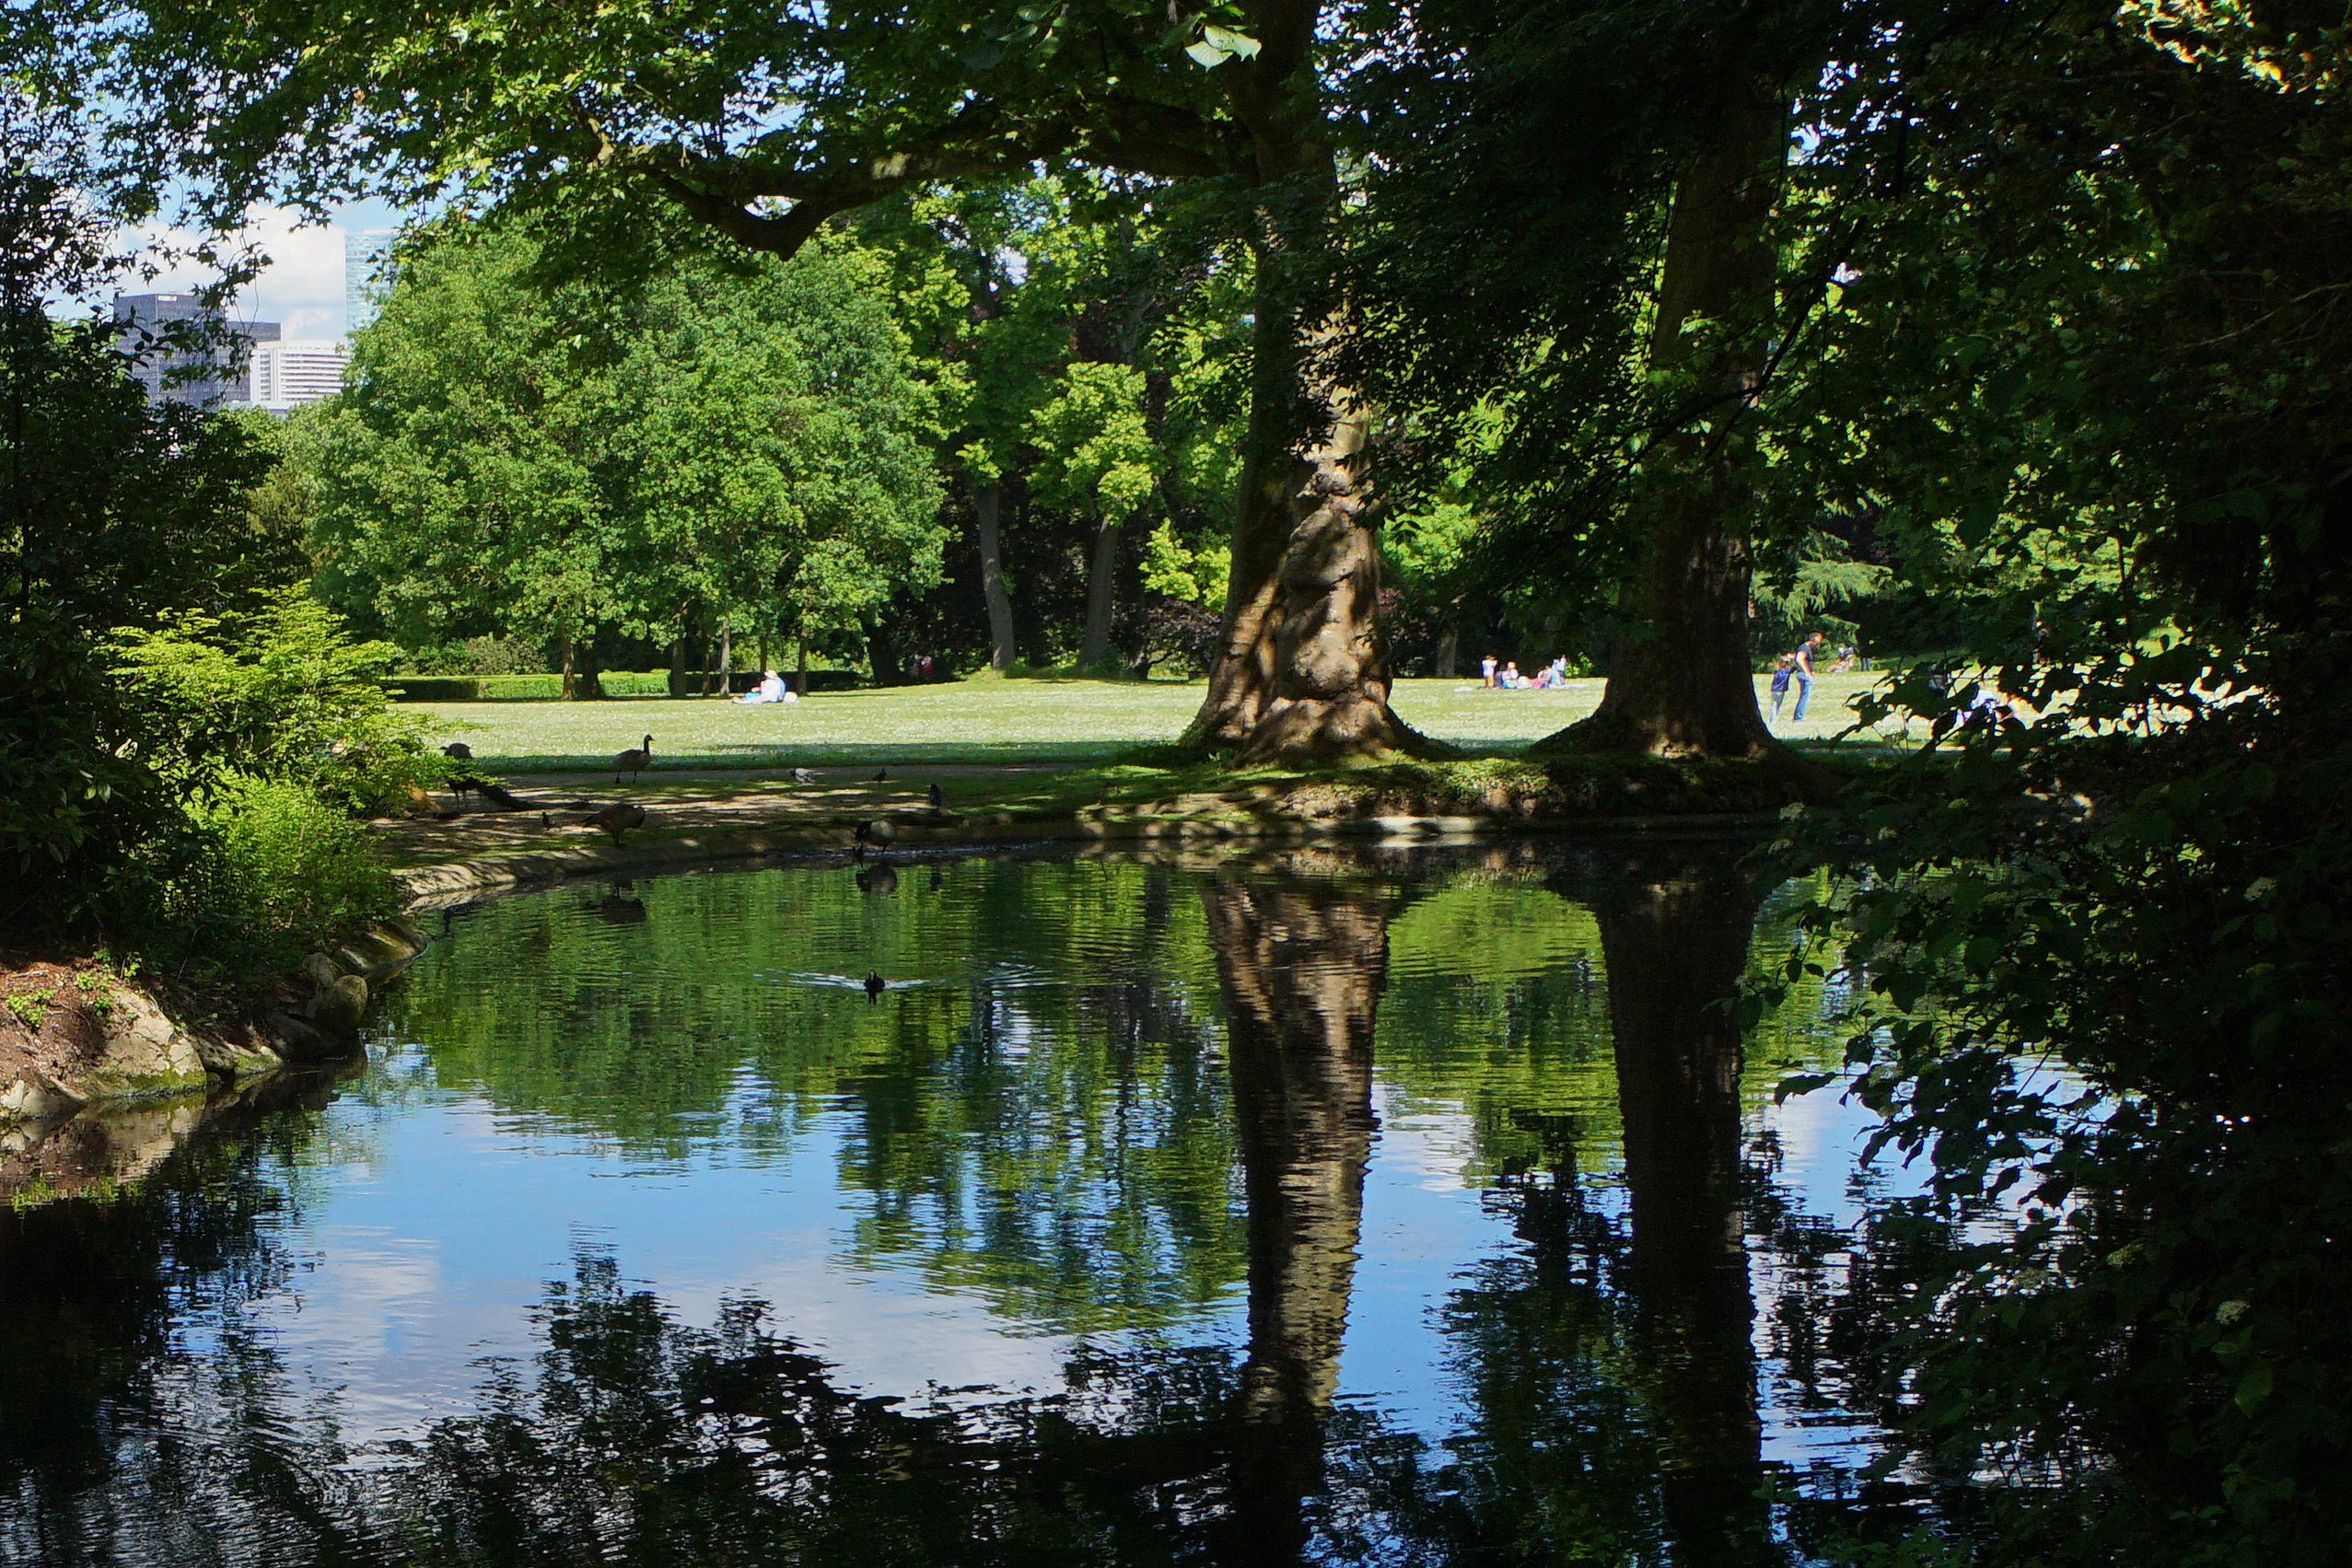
(1107, 1099)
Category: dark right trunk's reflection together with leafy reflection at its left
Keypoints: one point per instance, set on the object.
(1612, 1391)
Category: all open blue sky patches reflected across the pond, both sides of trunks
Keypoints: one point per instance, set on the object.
(434, 1252)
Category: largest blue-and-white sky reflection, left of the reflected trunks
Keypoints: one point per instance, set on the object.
(436, 1254)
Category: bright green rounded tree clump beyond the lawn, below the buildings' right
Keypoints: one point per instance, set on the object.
(719, 448)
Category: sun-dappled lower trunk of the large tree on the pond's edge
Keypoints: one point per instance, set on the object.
(1299, 671)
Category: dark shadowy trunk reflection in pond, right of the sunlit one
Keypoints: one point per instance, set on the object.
(1676, 942)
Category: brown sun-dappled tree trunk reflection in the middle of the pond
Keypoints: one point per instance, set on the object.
(1302, 970)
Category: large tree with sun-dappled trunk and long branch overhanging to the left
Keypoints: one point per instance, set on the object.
(766, 123)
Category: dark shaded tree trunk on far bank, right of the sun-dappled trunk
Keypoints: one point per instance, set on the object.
(1681, 676)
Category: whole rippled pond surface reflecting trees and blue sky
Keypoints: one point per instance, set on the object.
(1408, 1209)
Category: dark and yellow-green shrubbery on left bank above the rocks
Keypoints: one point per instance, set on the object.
(185, 735)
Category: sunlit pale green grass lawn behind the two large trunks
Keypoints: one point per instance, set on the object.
(980, 721)
